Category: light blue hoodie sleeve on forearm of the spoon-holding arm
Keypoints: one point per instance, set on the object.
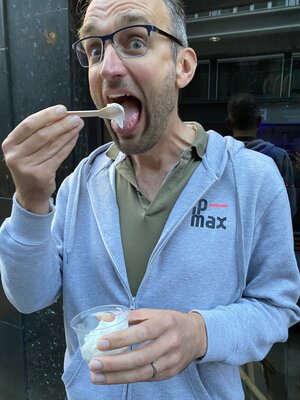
(29, 261)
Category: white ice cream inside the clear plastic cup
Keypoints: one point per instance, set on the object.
(109, 323)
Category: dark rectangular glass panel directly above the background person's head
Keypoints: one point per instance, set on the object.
(260, 76)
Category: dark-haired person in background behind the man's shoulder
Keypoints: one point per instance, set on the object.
(244, 120)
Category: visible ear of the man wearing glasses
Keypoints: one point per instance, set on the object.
(186, 64)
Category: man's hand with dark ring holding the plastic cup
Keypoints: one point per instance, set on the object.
(170, 340)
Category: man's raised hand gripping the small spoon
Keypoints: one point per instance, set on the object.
(33, 152)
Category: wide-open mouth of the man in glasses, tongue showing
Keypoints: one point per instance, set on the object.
(132, 107)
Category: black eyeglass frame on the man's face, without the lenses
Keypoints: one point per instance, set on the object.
(150, 28)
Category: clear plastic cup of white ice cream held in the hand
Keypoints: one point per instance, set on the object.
(92, 324)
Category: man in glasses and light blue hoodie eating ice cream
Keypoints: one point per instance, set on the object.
(170, 221)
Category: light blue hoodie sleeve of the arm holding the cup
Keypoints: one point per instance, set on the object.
(246, 330)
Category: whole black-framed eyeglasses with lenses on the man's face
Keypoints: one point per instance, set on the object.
(130, 42)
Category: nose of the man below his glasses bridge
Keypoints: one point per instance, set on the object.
(112, 65)
